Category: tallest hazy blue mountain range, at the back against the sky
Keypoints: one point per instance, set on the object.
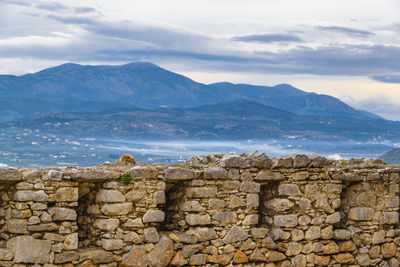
(146, 85)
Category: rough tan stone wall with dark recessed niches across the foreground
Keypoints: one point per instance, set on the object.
(235, 210)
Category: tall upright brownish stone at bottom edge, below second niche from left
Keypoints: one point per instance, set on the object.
(162, 253)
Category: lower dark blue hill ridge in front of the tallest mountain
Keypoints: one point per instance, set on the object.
(238, 119)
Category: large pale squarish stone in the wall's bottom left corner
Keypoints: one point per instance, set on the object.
(29, 250)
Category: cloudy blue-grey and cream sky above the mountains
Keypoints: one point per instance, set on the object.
(346, 48)
